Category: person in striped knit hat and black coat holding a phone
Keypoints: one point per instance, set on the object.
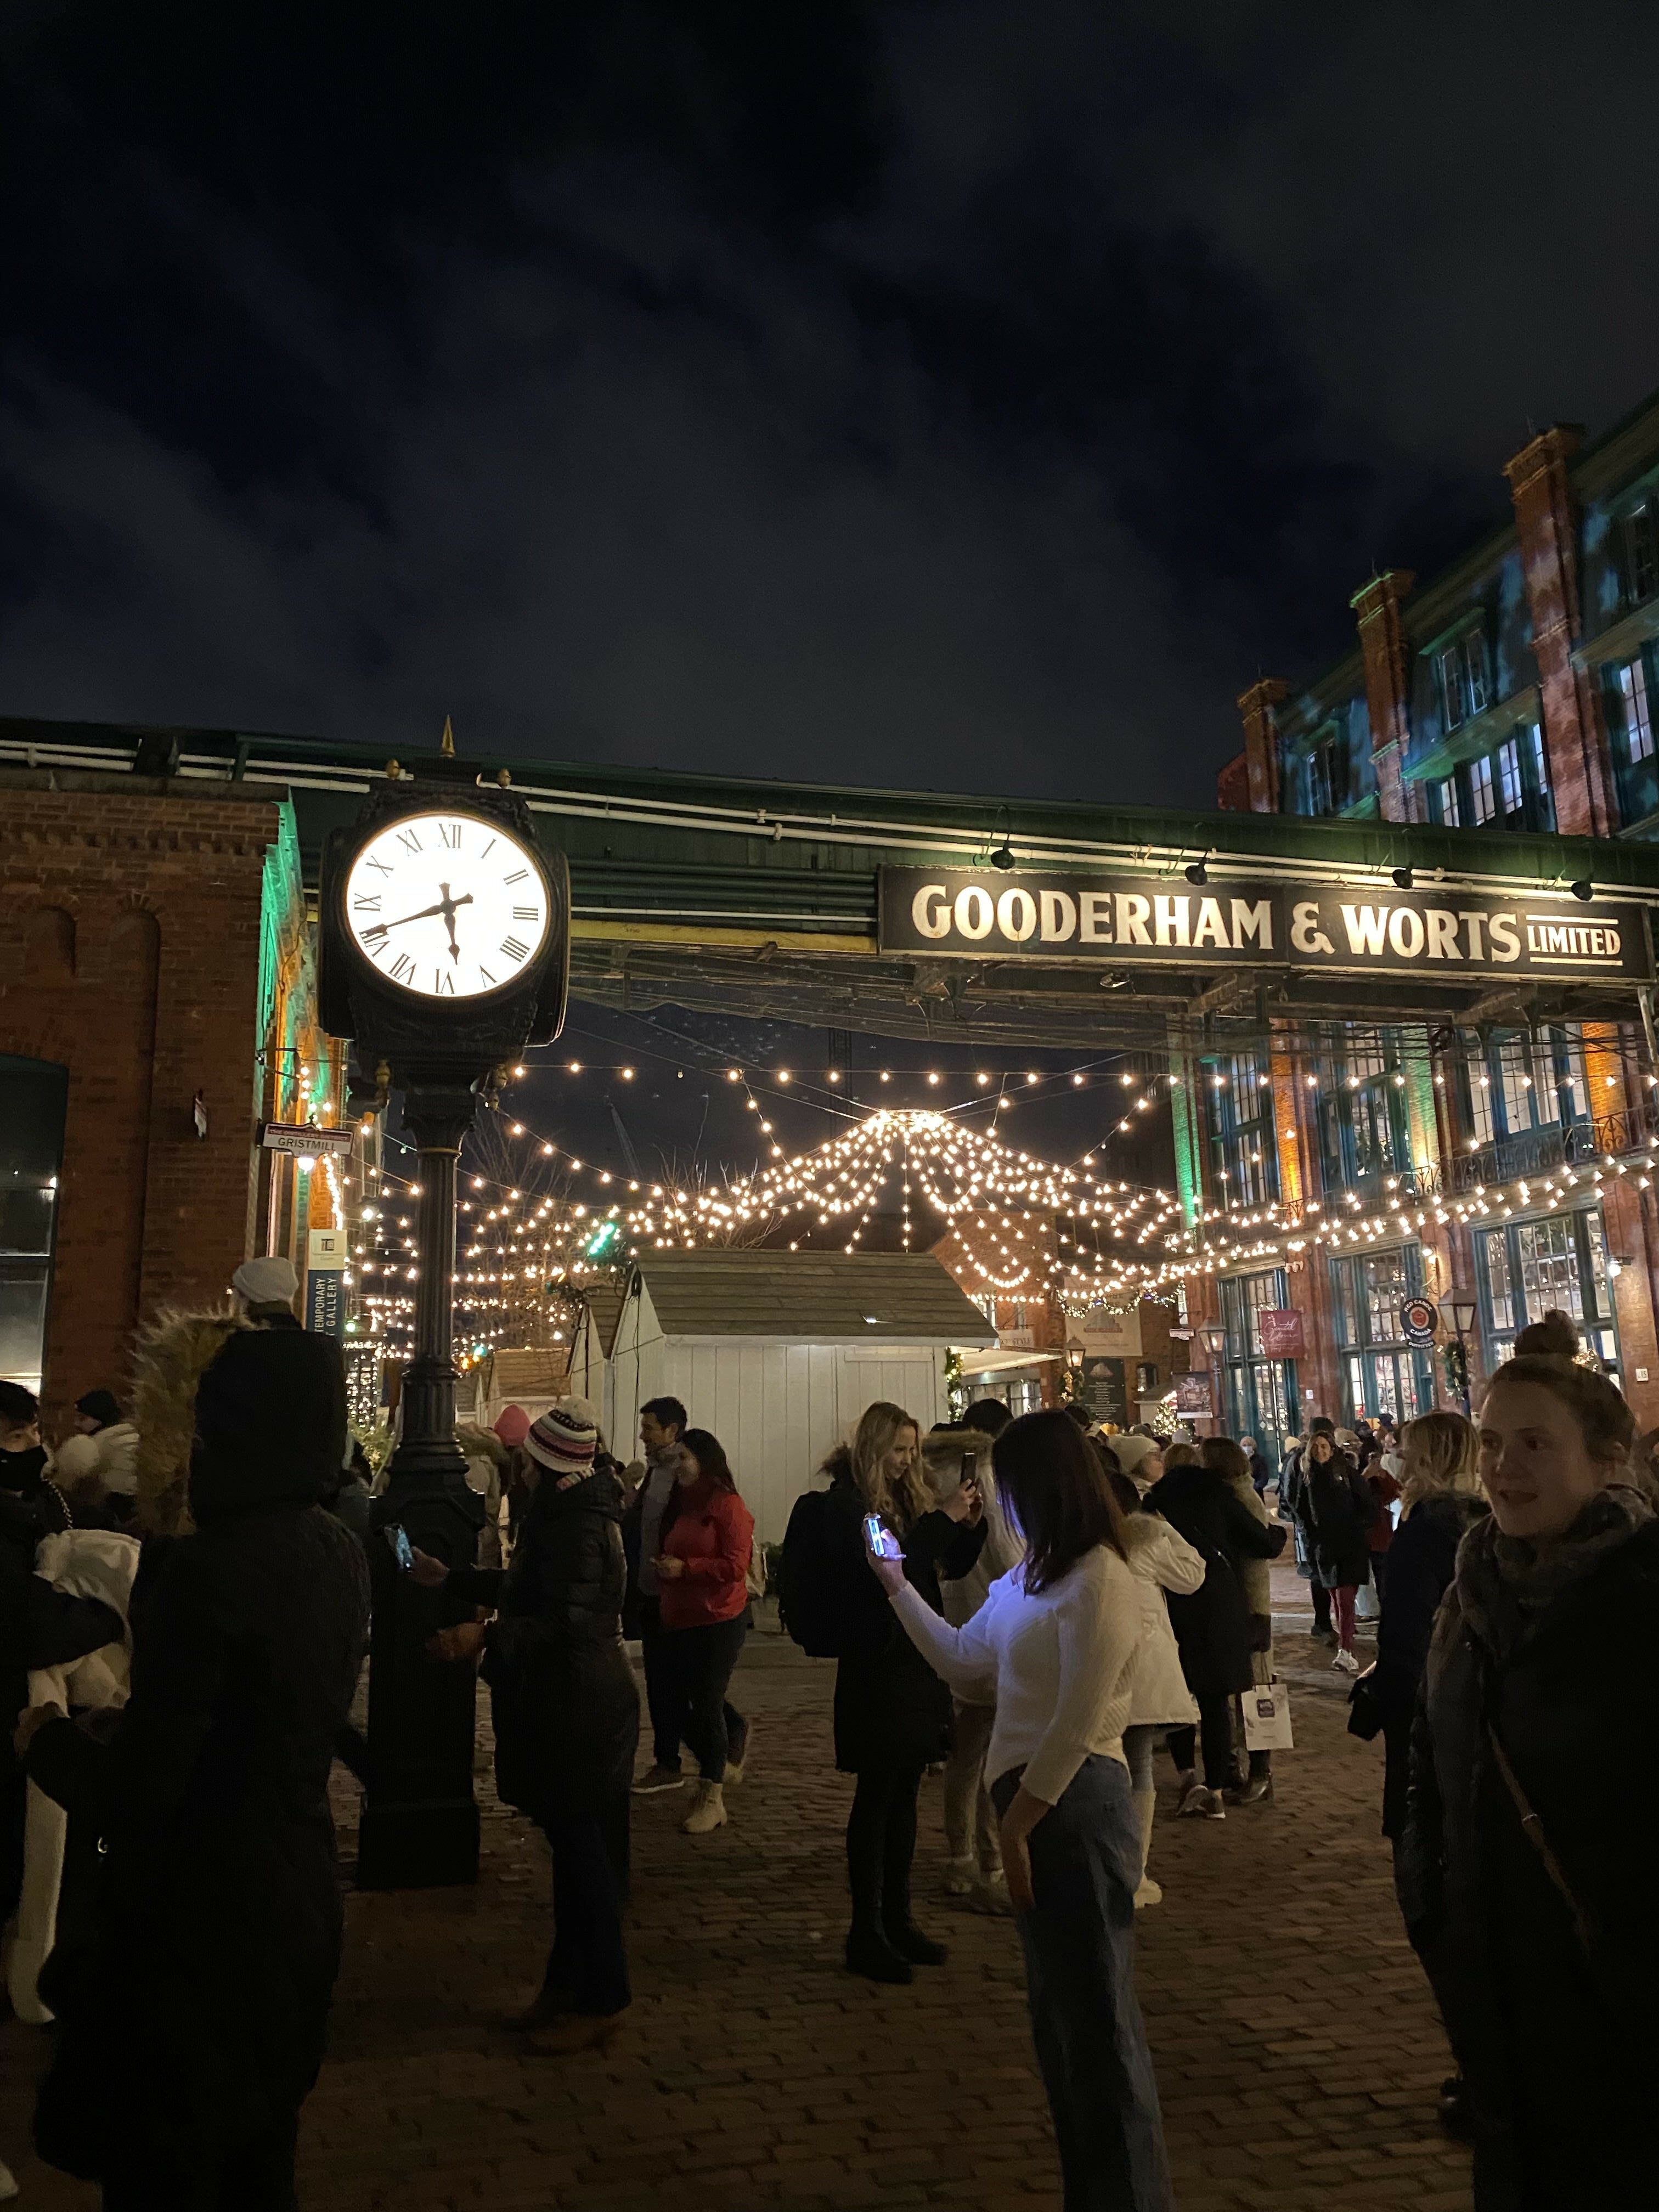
(567, 1713)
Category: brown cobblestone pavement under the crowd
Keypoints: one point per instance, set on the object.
(1293, 2034)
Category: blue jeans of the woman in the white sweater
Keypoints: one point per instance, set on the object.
(1081, 1981)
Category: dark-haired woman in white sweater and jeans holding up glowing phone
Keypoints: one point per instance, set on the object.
(1058, 1640)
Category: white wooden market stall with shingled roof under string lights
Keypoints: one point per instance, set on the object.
(778, 1353)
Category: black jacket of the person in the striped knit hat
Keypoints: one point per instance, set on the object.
(565, 1700)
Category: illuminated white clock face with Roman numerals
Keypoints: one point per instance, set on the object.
(448, 906)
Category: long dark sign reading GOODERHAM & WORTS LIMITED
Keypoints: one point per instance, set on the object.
(1165, 921)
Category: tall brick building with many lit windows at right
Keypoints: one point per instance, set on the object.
(1507, 693)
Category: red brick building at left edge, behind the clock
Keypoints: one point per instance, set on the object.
(156, 1001)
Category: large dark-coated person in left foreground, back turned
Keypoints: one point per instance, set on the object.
(191, 2027)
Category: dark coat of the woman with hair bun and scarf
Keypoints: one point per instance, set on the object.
(1558, 2045)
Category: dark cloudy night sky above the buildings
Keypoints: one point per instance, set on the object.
(921, 395)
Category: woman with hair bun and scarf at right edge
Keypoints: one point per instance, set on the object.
(1527, 1859)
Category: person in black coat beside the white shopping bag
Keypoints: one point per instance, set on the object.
(1213, 1625)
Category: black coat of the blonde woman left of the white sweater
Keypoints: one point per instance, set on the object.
(893, 1711)
